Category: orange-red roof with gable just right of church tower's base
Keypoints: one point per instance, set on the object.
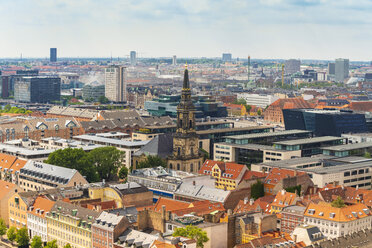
(228, 169)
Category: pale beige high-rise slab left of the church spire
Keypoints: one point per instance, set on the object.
(115, 86)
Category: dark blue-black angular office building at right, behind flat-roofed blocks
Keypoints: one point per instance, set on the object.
(325, 122)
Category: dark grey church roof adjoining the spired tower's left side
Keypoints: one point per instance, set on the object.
(161, 145)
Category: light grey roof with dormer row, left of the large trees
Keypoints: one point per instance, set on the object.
(48, 172)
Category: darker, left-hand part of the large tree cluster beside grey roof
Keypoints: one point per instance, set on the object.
(74, 159)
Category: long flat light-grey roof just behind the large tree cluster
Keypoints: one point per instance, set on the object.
(110, 141)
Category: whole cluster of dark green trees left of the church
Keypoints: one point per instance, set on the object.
(96, 165)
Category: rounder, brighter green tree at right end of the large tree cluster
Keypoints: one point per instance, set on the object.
(107, 161)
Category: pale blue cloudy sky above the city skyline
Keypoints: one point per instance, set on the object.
(264, 29)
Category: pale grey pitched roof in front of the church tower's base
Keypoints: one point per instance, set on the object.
(203, 192)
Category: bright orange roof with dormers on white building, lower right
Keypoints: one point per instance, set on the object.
(325, 211)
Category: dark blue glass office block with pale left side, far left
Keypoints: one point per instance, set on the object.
(38, 89)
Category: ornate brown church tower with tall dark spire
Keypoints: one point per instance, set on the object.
(186, 155)
